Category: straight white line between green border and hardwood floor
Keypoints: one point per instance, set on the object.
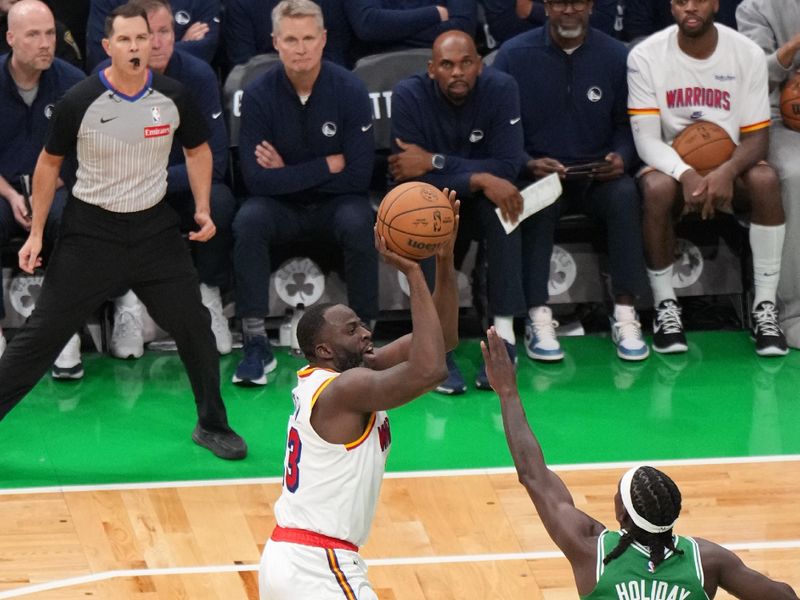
(403, 474)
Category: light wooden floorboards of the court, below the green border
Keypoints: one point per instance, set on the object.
(460, 537)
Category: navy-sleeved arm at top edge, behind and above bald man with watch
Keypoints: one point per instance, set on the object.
(371, 23)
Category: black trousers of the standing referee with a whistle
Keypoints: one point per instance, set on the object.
(99, 252)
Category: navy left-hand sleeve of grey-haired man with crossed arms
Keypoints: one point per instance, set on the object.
(256, 127)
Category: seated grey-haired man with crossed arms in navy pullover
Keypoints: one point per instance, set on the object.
(307, 152)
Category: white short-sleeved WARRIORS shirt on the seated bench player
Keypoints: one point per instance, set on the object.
(729, 88)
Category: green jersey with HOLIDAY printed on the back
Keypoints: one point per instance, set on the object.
(631, 576)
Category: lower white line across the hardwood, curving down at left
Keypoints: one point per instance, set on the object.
(377, 562)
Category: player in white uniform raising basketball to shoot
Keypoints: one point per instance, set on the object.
(339, 437)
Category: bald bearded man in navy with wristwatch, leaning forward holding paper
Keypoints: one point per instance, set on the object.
(458, 126)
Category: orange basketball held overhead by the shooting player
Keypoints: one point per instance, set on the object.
(415, 218)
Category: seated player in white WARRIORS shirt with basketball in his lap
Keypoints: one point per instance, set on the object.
(693, 71)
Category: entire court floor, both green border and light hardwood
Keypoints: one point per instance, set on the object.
(470, 536)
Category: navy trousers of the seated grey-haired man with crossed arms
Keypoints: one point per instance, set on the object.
(346, 221)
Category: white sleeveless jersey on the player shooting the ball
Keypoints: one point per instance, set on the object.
(328, 488)
